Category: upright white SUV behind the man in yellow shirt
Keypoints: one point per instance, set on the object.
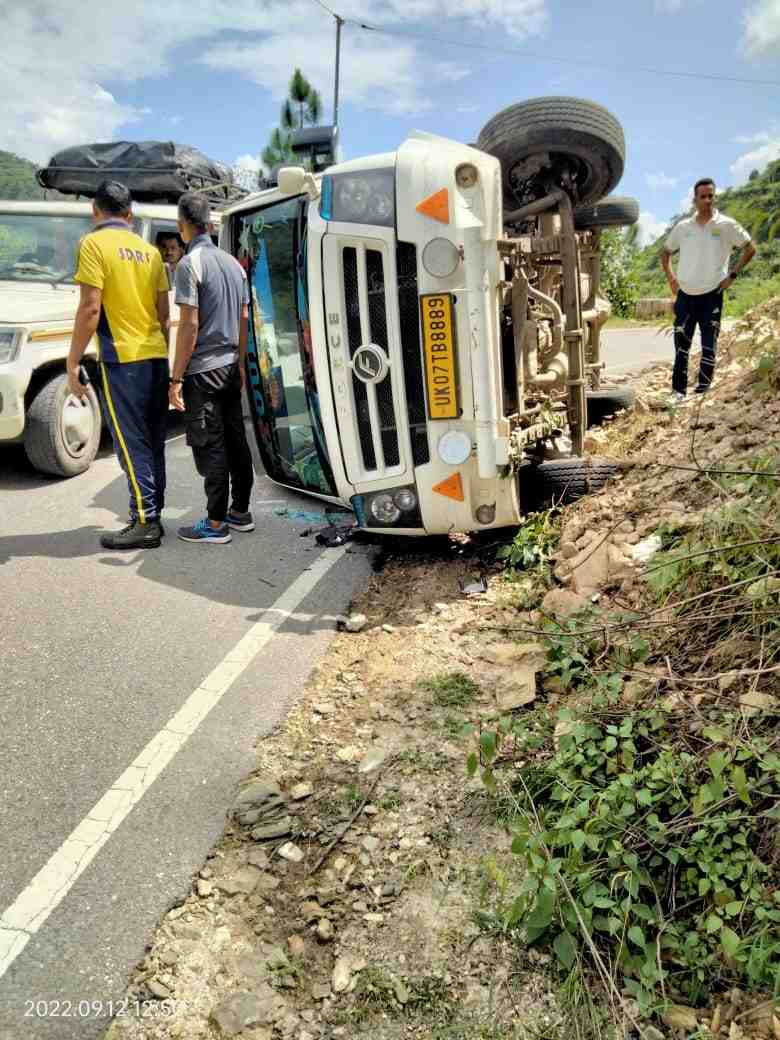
(38, 306)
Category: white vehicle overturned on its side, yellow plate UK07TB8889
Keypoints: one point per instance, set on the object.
(425, 324)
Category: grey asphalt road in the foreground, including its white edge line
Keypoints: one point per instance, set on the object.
(161, 666)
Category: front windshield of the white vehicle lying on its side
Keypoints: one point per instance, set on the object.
(285, 402)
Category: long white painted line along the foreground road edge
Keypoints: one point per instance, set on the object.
(25, 917)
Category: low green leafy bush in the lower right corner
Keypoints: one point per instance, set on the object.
(651, 850)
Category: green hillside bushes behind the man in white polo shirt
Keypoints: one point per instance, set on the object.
(757, 206)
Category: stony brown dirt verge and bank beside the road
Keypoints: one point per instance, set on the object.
(365, 881)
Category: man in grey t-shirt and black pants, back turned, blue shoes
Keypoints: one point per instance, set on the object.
(209, 375)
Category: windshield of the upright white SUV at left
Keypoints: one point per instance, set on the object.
(40, 247)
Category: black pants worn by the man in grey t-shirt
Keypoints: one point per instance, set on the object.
(215, 424)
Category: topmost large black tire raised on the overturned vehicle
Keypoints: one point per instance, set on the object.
(581, 132)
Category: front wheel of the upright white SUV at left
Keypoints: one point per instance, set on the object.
(62, 437)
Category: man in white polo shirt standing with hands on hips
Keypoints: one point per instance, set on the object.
(706, 243)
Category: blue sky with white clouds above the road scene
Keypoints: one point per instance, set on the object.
(214, 74)
